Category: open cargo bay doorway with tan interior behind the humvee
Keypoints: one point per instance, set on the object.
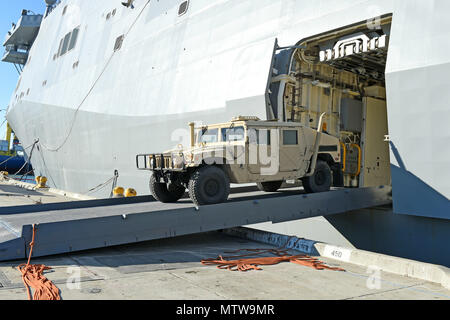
(341, 73)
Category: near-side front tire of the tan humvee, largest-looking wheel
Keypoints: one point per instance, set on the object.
(209, 185)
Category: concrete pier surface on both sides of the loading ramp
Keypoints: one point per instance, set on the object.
(171, 269)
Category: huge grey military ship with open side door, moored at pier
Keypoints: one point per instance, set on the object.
(103, 81)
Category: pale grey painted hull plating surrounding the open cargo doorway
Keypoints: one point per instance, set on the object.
(210, 65)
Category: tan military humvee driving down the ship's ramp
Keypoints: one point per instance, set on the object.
(245, 150)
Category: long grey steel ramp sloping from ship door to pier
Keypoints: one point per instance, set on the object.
(77, 226)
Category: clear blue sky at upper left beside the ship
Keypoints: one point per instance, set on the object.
(10, 11)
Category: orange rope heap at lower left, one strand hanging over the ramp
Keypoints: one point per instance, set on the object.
(33, 277)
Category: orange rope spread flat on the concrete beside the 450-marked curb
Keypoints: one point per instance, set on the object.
(233, 263)
